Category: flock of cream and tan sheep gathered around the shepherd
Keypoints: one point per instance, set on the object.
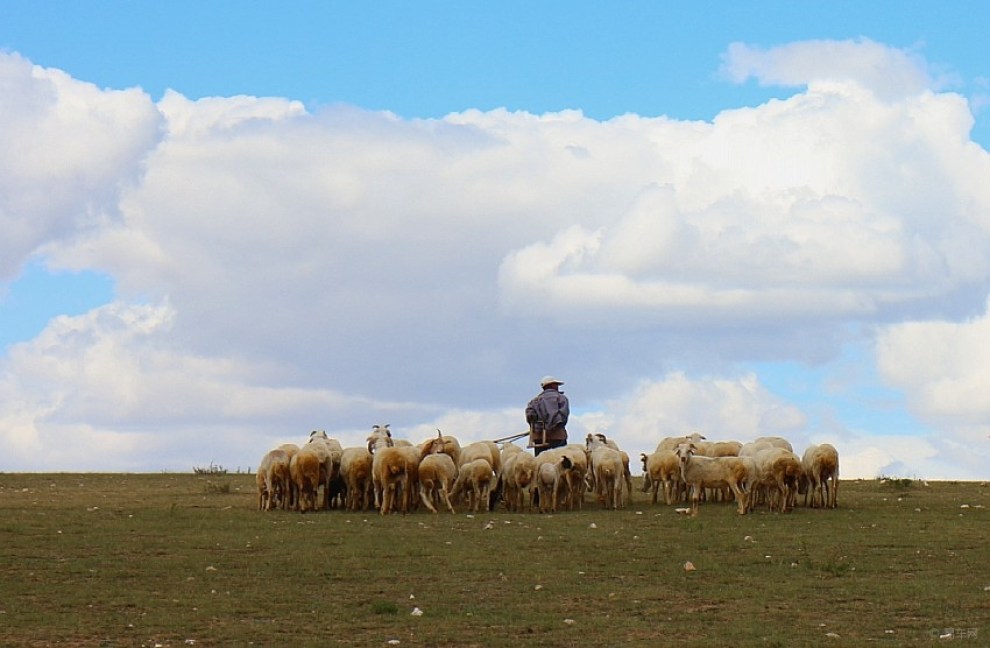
(391, 475)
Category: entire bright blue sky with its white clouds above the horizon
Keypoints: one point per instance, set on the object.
(404, 78)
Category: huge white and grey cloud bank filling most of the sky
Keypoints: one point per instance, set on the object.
(280, 269)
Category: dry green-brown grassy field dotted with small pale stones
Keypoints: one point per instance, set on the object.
(186, 560)
